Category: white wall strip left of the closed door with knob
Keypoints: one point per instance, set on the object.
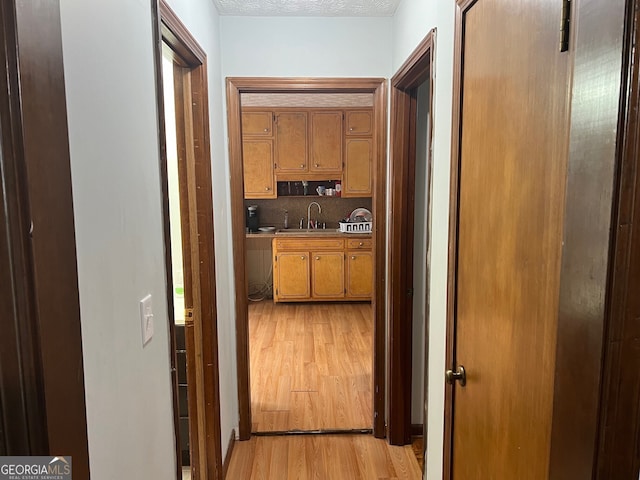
(411, 23)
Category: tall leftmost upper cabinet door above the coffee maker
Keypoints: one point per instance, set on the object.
(257, 160)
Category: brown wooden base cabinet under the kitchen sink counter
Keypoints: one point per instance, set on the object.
(327, 269)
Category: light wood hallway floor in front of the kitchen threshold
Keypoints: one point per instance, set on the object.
(322, 457)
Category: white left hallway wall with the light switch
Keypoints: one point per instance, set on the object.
(111, 102)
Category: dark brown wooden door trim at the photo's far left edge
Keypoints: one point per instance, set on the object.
(36, 116)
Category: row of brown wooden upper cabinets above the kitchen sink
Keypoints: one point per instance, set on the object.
(313, 144)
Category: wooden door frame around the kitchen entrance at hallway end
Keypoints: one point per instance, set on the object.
(237, 86)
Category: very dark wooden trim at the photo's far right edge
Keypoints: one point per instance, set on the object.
(618, 452)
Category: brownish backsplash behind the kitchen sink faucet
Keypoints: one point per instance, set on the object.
(334, 209)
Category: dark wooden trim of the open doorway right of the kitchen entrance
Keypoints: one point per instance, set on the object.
(417, 69)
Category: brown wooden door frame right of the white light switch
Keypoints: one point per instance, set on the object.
(169, 30)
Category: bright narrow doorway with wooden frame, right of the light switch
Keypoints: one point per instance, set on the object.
(188, 232)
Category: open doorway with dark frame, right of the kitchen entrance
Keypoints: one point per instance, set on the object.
(410, 239)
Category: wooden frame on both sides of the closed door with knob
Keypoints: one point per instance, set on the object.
(578, 376)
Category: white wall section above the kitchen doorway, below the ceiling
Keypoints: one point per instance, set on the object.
(299, 47)
